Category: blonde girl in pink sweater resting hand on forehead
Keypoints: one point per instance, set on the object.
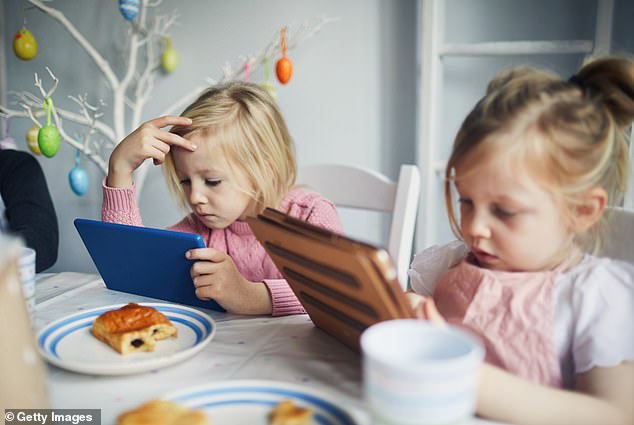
(227, 157)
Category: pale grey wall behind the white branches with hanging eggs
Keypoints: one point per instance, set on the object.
(346, 101)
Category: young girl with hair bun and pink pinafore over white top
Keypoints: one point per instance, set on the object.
(534, 165)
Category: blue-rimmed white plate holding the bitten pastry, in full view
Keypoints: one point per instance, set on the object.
(68, 342)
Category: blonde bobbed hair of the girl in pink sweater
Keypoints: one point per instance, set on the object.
(249, 128)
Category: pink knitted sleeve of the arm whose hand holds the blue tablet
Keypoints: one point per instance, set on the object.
(322, 213)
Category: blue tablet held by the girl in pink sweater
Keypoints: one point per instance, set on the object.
(143, 261)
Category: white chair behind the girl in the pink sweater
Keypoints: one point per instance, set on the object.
(355, 187)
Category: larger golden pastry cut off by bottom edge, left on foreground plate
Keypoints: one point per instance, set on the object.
(162, 412)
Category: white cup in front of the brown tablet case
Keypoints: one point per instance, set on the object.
(418, 373)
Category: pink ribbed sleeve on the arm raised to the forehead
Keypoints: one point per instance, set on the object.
(120, 205)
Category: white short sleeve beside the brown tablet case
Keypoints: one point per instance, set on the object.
(429, 264)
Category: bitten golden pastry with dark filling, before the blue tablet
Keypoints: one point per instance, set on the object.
(133, 328)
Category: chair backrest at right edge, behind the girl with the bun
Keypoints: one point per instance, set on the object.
(618, 241)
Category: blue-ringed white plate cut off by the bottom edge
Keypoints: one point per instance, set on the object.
(246, 402)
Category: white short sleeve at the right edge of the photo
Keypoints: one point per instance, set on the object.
(603, 315)
